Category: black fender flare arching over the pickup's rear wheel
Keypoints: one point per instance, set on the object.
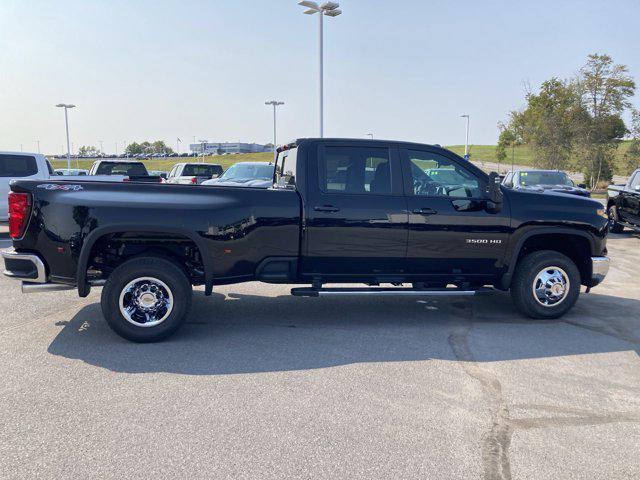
(89, 241)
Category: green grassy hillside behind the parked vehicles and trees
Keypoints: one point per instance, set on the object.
(523, 155)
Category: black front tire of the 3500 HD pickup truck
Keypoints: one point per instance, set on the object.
(527, 271)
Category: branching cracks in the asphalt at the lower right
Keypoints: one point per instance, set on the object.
(497, 440)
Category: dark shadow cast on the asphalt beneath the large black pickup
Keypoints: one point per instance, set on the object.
(248, 333)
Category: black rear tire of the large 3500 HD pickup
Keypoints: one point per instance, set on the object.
(169, 281)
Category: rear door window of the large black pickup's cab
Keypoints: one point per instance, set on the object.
(355, 170)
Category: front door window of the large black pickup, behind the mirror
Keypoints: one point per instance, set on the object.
(434, 175)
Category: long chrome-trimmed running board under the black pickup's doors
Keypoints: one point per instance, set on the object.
(441, 292)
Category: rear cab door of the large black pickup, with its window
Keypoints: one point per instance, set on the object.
(356, 218)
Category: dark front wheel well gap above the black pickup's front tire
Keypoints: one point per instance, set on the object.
(576, 247)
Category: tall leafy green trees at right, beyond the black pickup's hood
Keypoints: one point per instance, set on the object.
(578, 123)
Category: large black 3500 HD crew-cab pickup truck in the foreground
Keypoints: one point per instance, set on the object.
(415, 217)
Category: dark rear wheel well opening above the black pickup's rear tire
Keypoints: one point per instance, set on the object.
(111, 250)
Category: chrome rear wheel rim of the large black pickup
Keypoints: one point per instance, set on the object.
(146, 302)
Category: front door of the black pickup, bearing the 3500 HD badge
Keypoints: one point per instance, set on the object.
(451, 233)
